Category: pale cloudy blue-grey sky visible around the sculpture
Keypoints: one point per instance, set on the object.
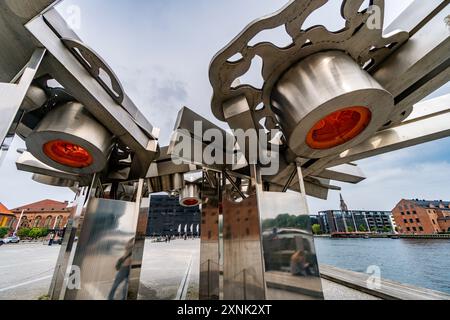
(161, 50)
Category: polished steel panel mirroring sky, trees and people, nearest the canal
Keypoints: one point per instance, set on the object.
(290, 260)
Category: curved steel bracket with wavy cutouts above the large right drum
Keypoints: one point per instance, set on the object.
(364, 43)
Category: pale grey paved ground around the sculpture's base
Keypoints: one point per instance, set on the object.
(26, 270)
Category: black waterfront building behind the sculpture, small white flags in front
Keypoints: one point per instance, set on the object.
(168, 217)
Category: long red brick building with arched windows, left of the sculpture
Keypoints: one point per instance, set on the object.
(43, 214)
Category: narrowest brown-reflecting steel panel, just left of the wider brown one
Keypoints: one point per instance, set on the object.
(209, 287)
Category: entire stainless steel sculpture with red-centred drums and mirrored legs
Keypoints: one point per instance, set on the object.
(331, 97)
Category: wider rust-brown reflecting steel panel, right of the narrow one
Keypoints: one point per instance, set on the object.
(243, 273)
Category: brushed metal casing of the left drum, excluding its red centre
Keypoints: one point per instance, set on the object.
(71, 122)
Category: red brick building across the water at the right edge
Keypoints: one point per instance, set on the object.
(422, 216)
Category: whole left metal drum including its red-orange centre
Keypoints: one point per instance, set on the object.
(69, 139)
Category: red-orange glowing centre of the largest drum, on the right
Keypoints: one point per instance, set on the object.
(338, 128)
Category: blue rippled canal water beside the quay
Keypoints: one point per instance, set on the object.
(423, 263)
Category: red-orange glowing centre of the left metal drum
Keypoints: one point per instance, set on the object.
(68, 154)
